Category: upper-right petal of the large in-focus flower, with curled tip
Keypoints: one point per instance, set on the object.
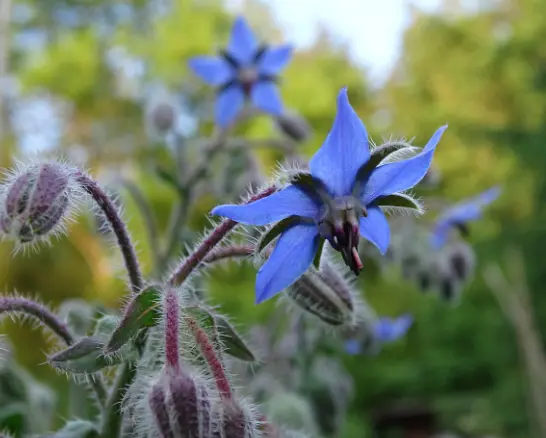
(402, 175)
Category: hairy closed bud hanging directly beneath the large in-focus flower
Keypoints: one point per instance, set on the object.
(324, 294)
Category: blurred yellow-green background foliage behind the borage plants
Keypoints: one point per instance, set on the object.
(484, 72)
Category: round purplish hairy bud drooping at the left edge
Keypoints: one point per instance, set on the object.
(36, 202)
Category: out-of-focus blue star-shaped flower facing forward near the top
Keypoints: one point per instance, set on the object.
(245, 70)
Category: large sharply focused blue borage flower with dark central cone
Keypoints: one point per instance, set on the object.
(340, 199)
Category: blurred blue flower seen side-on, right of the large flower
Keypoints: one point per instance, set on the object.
(460, 214)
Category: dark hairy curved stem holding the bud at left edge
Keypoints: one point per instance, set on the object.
(118, 227)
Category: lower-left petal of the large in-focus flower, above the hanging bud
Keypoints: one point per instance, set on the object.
(292, 256)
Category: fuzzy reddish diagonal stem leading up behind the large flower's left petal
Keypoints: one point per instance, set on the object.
(208, 244)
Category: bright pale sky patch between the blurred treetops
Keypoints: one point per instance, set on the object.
(373, 29)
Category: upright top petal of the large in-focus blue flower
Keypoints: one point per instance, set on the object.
(344, 151)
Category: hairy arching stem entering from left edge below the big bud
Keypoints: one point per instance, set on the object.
(42, 313)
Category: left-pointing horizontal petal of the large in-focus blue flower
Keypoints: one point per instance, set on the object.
(287, 202)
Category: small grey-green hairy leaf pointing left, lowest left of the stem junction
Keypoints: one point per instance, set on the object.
(85, 357)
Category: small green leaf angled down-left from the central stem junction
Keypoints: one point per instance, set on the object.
(142, 311)
